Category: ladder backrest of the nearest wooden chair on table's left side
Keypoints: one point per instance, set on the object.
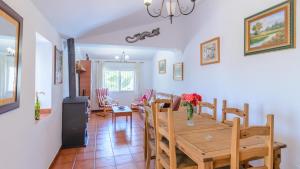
(166, 152)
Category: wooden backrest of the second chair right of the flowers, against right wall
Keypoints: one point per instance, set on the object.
(244, 114)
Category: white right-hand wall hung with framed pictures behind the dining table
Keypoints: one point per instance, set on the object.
(269, 82)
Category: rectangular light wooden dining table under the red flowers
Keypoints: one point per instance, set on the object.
(208, 142)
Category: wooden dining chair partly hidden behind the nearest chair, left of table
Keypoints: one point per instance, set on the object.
(150, 121)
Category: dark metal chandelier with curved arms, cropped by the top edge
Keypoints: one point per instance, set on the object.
(171, 6)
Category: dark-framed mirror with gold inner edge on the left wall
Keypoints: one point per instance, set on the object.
(11, 25)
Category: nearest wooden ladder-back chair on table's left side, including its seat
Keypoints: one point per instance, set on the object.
(166, 156)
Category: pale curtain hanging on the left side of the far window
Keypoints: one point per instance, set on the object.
(97, 69)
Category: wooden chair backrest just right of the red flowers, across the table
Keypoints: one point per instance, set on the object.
(211, 106)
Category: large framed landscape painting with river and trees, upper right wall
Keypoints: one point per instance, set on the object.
(272, 29)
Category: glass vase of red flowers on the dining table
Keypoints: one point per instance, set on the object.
(190, 101)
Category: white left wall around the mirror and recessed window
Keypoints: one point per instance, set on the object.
(24, 142)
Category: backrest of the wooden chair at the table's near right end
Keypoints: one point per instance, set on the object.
(246, 154)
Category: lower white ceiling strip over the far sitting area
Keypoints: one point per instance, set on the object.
(108, 52)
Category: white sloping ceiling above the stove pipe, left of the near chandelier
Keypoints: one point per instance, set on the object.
(76, 18)
